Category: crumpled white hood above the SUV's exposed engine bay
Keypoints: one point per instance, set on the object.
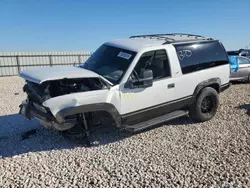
(40, 75)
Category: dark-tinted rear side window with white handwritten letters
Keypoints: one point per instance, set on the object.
(198, 56)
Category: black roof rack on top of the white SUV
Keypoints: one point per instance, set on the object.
(168, 36)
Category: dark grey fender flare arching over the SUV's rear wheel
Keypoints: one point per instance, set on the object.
(213, 82)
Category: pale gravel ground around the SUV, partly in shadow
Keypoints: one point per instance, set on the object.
(179, 154)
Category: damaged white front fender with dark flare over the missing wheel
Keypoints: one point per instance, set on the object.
(75, 103)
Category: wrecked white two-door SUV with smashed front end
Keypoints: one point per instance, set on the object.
(136, 82)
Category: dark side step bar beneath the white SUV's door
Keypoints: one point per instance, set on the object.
(146, 124)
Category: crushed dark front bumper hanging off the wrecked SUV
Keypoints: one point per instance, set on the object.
(34, 110)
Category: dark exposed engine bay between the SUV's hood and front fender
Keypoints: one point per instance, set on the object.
(42, 92)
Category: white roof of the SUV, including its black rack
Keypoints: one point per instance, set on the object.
(136, 43)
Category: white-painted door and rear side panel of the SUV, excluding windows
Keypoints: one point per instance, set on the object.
(159, 93)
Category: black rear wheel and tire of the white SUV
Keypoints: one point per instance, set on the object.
(205, 106)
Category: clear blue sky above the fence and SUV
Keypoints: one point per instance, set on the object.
(83, 25)
